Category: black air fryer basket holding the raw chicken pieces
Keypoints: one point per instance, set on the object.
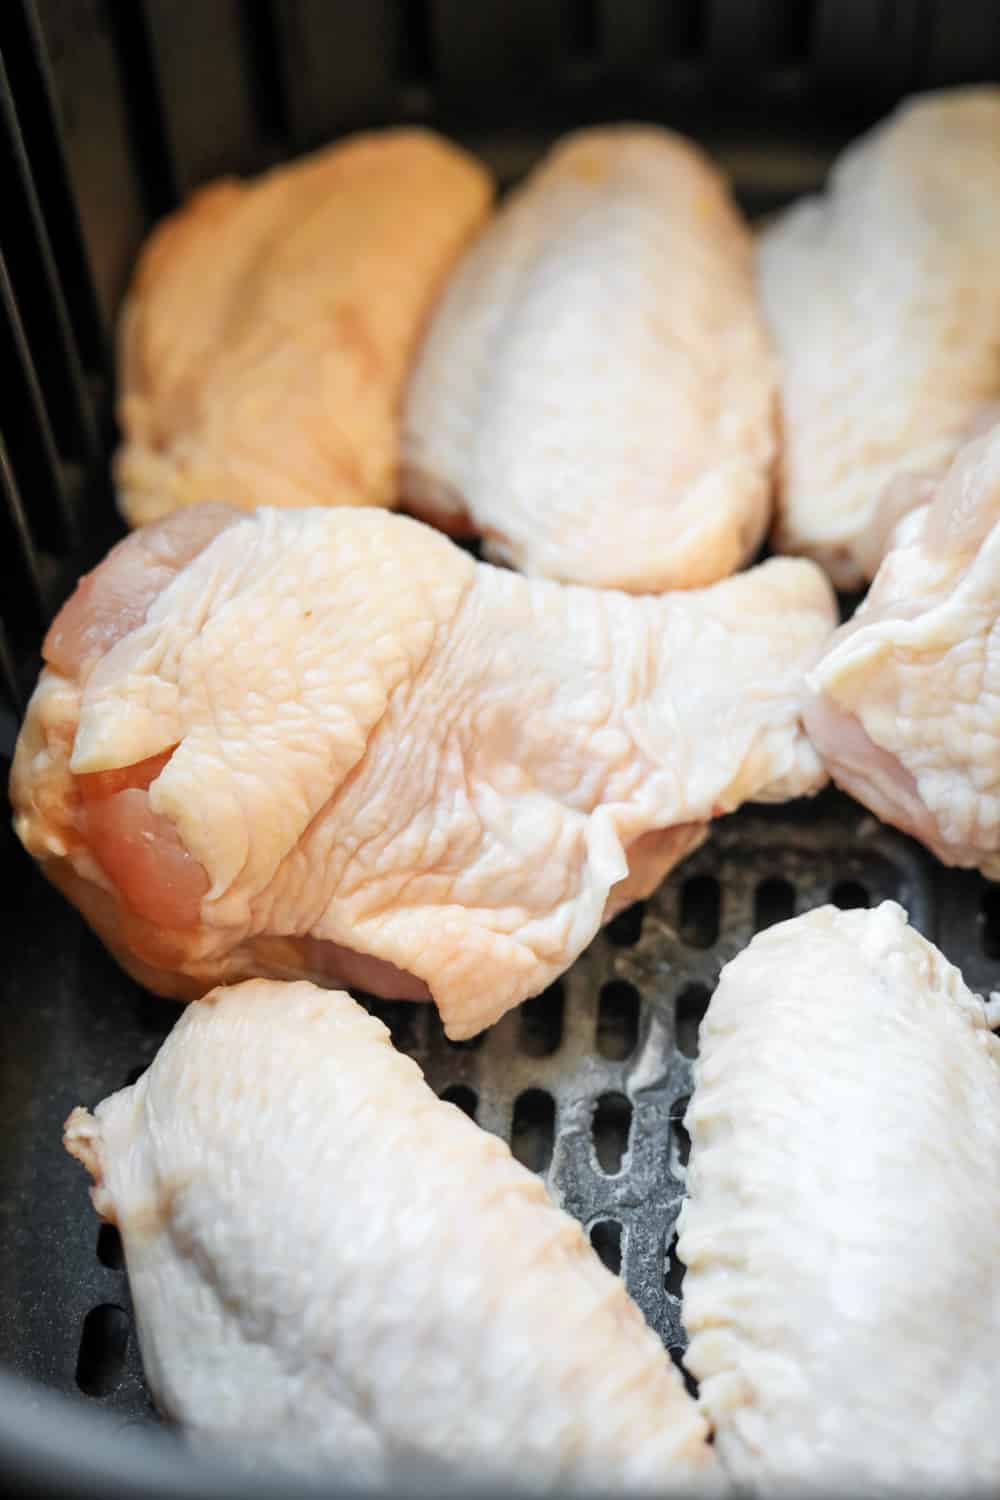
(112, 112)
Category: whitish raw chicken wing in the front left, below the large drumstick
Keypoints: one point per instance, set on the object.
(337, 1271)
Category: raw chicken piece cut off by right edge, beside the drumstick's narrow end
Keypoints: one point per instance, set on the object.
(908, 695)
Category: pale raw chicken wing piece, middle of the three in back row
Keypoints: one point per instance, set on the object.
(597, 395)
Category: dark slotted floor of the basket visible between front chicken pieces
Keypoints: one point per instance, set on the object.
(588, 1082)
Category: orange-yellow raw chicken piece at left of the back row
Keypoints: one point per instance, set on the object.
(271, 326)
